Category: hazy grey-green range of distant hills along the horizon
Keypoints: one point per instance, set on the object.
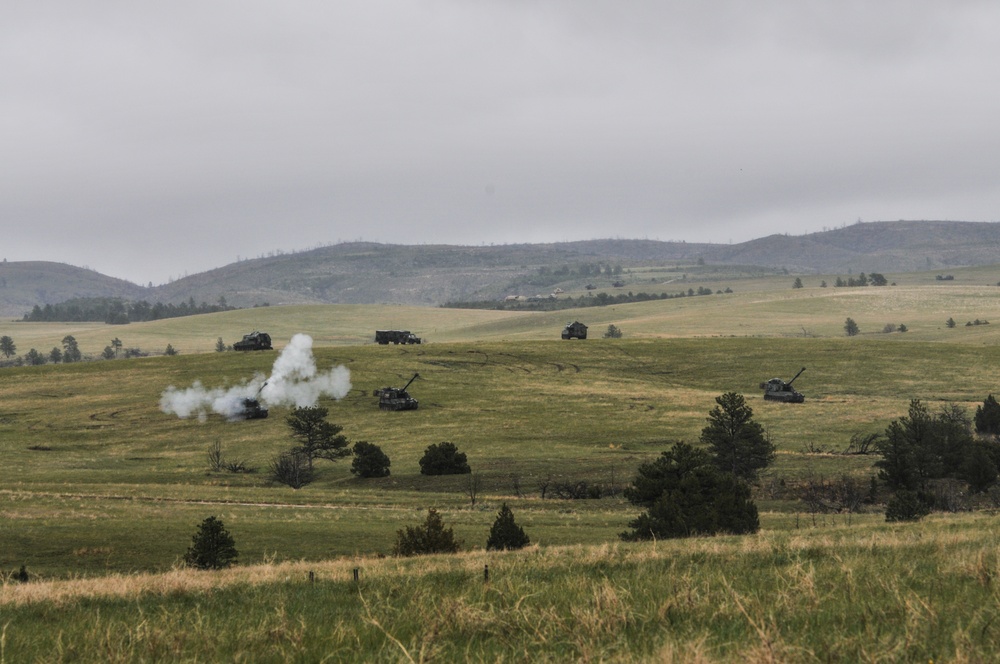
(430, 275)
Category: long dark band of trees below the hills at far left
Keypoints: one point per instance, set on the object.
(116, 311)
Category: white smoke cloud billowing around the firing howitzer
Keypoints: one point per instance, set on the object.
(294, 381)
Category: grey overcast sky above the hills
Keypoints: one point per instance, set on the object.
(152, 140)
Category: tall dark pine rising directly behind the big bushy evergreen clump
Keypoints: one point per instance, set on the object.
(738, 444)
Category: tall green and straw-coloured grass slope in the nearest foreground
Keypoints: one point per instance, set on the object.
(921, 592)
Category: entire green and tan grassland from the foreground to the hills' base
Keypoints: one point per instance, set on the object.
(101, 491)
